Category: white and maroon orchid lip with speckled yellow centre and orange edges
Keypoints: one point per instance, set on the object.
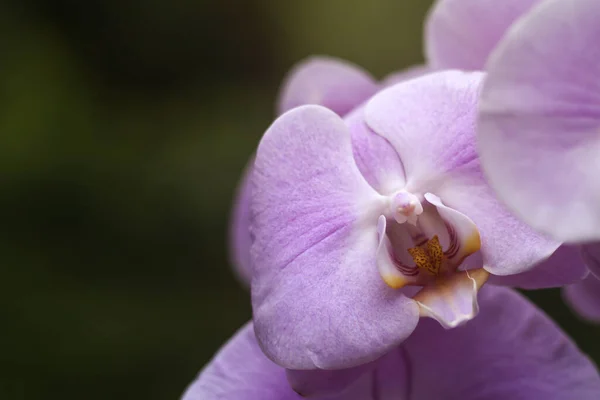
(428, 252)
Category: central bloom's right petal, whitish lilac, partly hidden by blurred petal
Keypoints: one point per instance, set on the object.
(430, 121)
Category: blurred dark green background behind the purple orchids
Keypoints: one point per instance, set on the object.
(124, 127)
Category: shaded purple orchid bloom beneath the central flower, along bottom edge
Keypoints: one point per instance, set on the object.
(511, 351)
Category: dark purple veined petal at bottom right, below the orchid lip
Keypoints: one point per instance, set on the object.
(510, 351)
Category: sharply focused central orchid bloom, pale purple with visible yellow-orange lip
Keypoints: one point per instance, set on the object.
(352, 217)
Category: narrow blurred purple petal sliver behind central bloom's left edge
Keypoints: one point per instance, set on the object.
(239, 232)
